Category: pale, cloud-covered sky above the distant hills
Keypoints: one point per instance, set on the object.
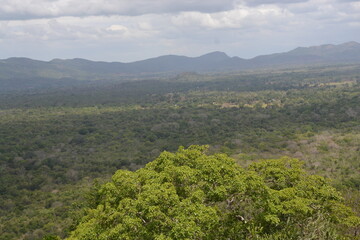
(130, 30)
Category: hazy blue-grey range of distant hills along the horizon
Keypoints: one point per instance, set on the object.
(18, 73)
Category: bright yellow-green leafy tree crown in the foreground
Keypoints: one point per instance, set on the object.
(191, 195)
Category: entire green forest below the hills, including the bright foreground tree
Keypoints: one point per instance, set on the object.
(271, 154)
